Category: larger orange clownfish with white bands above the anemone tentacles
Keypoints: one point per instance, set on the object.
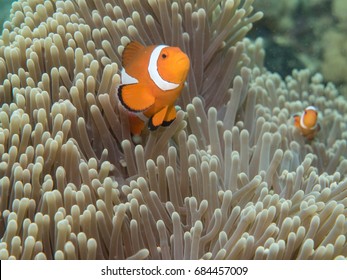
(152, 78)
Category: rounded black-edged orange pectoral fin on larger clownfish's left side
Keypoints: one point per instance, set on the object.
(135, 97)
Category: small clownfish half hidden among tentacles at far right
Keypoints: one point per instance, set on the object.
(307, 123)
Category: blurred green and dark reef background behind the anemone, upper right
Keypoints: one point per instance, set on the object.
(305, 34)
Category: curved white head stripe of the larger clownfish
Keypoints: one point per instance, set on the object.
(153, 71)
